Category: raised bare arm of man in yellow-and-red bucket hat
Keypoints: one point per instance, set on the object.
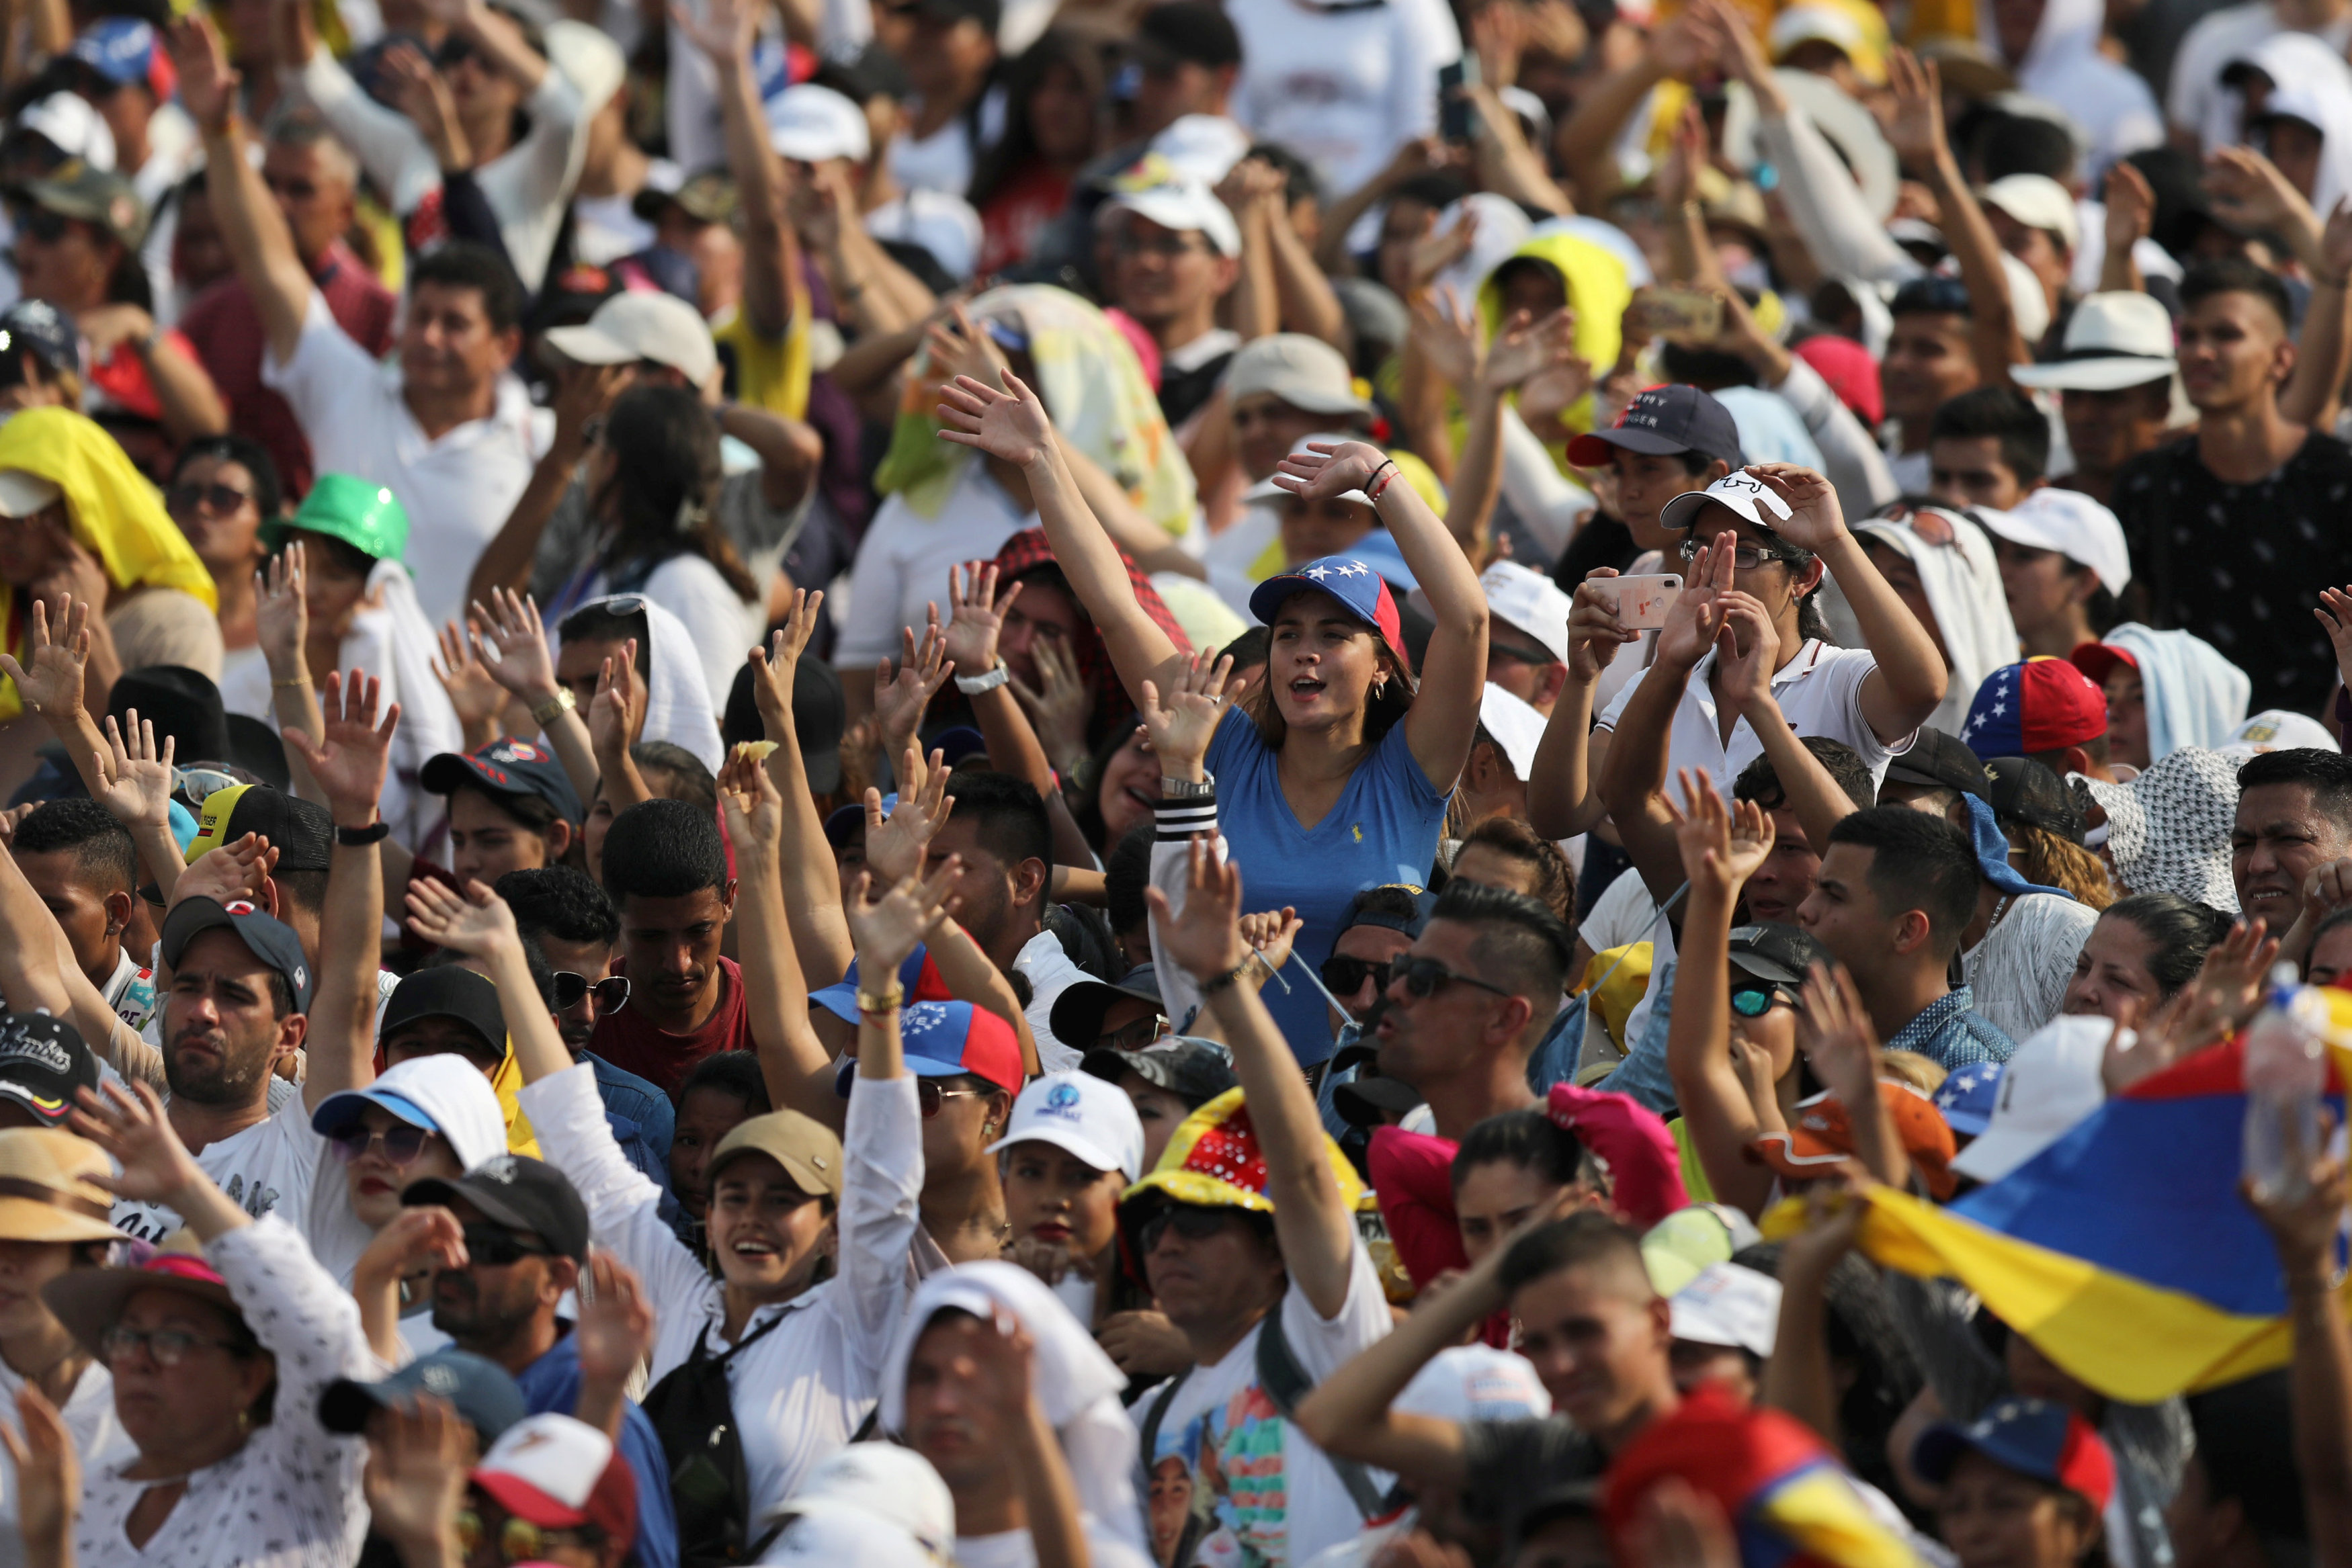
(1311, 1217)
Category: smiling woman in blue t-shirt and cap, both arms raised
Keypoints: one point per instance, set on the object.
(1337, 770)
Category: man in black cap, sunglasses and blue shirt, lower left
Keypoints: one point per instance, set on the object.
(526, 1233)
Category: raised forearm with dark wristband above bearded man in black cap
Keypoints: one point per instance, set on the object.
(349, 763)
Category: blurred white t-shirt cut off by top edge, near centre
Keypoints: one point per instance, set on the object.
(1342, 86)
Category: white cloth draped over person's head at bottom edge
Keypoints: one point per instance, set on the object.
(1076, 1383)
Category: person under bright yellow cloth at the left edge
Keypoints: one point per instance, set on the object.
(72, 504)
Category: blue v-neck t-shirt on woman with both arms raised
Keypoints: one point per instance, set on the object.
(1382, 831)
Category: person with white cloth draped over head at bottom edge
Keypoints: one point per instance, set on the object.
(942, 1400)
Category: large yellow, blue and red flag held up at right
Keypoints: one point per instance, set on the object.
(2123, 1252)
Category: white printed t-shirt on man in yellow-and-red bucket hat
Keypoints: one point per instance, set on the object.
(1262, 1492)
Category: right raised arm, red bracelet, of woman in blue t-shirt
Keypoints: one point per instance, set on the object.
(1443, 718)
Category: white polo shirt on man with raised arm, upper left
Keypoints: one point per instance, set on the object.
(457, 488)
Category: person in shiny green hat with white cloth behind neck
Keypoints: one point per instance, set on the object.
(363, 615)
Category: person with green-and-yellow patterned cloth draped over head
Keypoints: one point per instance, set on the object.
(949, 504)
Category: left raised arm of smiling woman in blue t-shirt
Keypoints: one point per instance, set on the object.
(1013, 427)
